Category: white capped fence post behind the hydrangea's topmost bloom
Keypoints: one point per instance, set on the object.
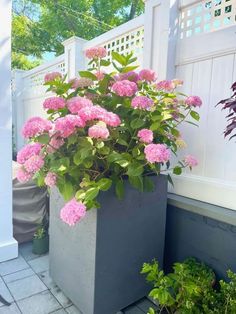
(74, 56)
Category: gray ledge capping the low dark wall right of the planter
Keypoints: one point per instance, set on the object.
(205, 209)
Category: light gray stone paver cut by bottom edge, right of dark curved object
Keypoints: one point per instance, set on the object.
(42, 303)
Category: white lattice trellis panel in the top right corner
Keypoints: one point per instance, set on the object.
(207, 16)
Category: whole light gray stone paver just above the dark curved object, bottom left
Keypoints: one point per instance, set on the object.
(26, 287)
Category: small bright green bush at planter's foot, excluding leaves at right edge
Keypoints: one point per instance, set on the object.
(182, 290)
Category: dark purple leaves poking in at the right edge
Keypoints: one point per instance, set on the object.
(230, 105)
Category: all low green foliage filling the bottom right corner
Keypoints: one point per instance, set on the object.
(190, 289)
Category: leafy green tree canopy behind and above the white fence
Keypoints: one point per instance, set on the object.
(39, 26)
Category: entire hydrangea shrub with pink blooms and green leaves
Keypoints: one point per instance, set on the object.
(103, 128)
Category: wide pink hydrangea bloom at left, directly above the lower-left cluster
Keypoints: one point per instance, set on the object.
(36, 126)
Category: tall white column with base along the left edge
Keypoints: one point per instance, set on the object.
(8, 245)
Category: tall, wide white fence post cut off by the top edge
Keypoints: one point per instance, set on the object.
(161, 25)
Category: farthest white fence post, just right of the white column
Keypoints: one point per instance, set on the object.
(18, 110)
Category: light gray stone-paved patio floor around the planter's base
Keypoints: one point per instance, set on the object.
(26, 284)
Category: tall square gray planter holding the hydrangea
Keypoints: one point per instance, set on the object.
(97, 263)
